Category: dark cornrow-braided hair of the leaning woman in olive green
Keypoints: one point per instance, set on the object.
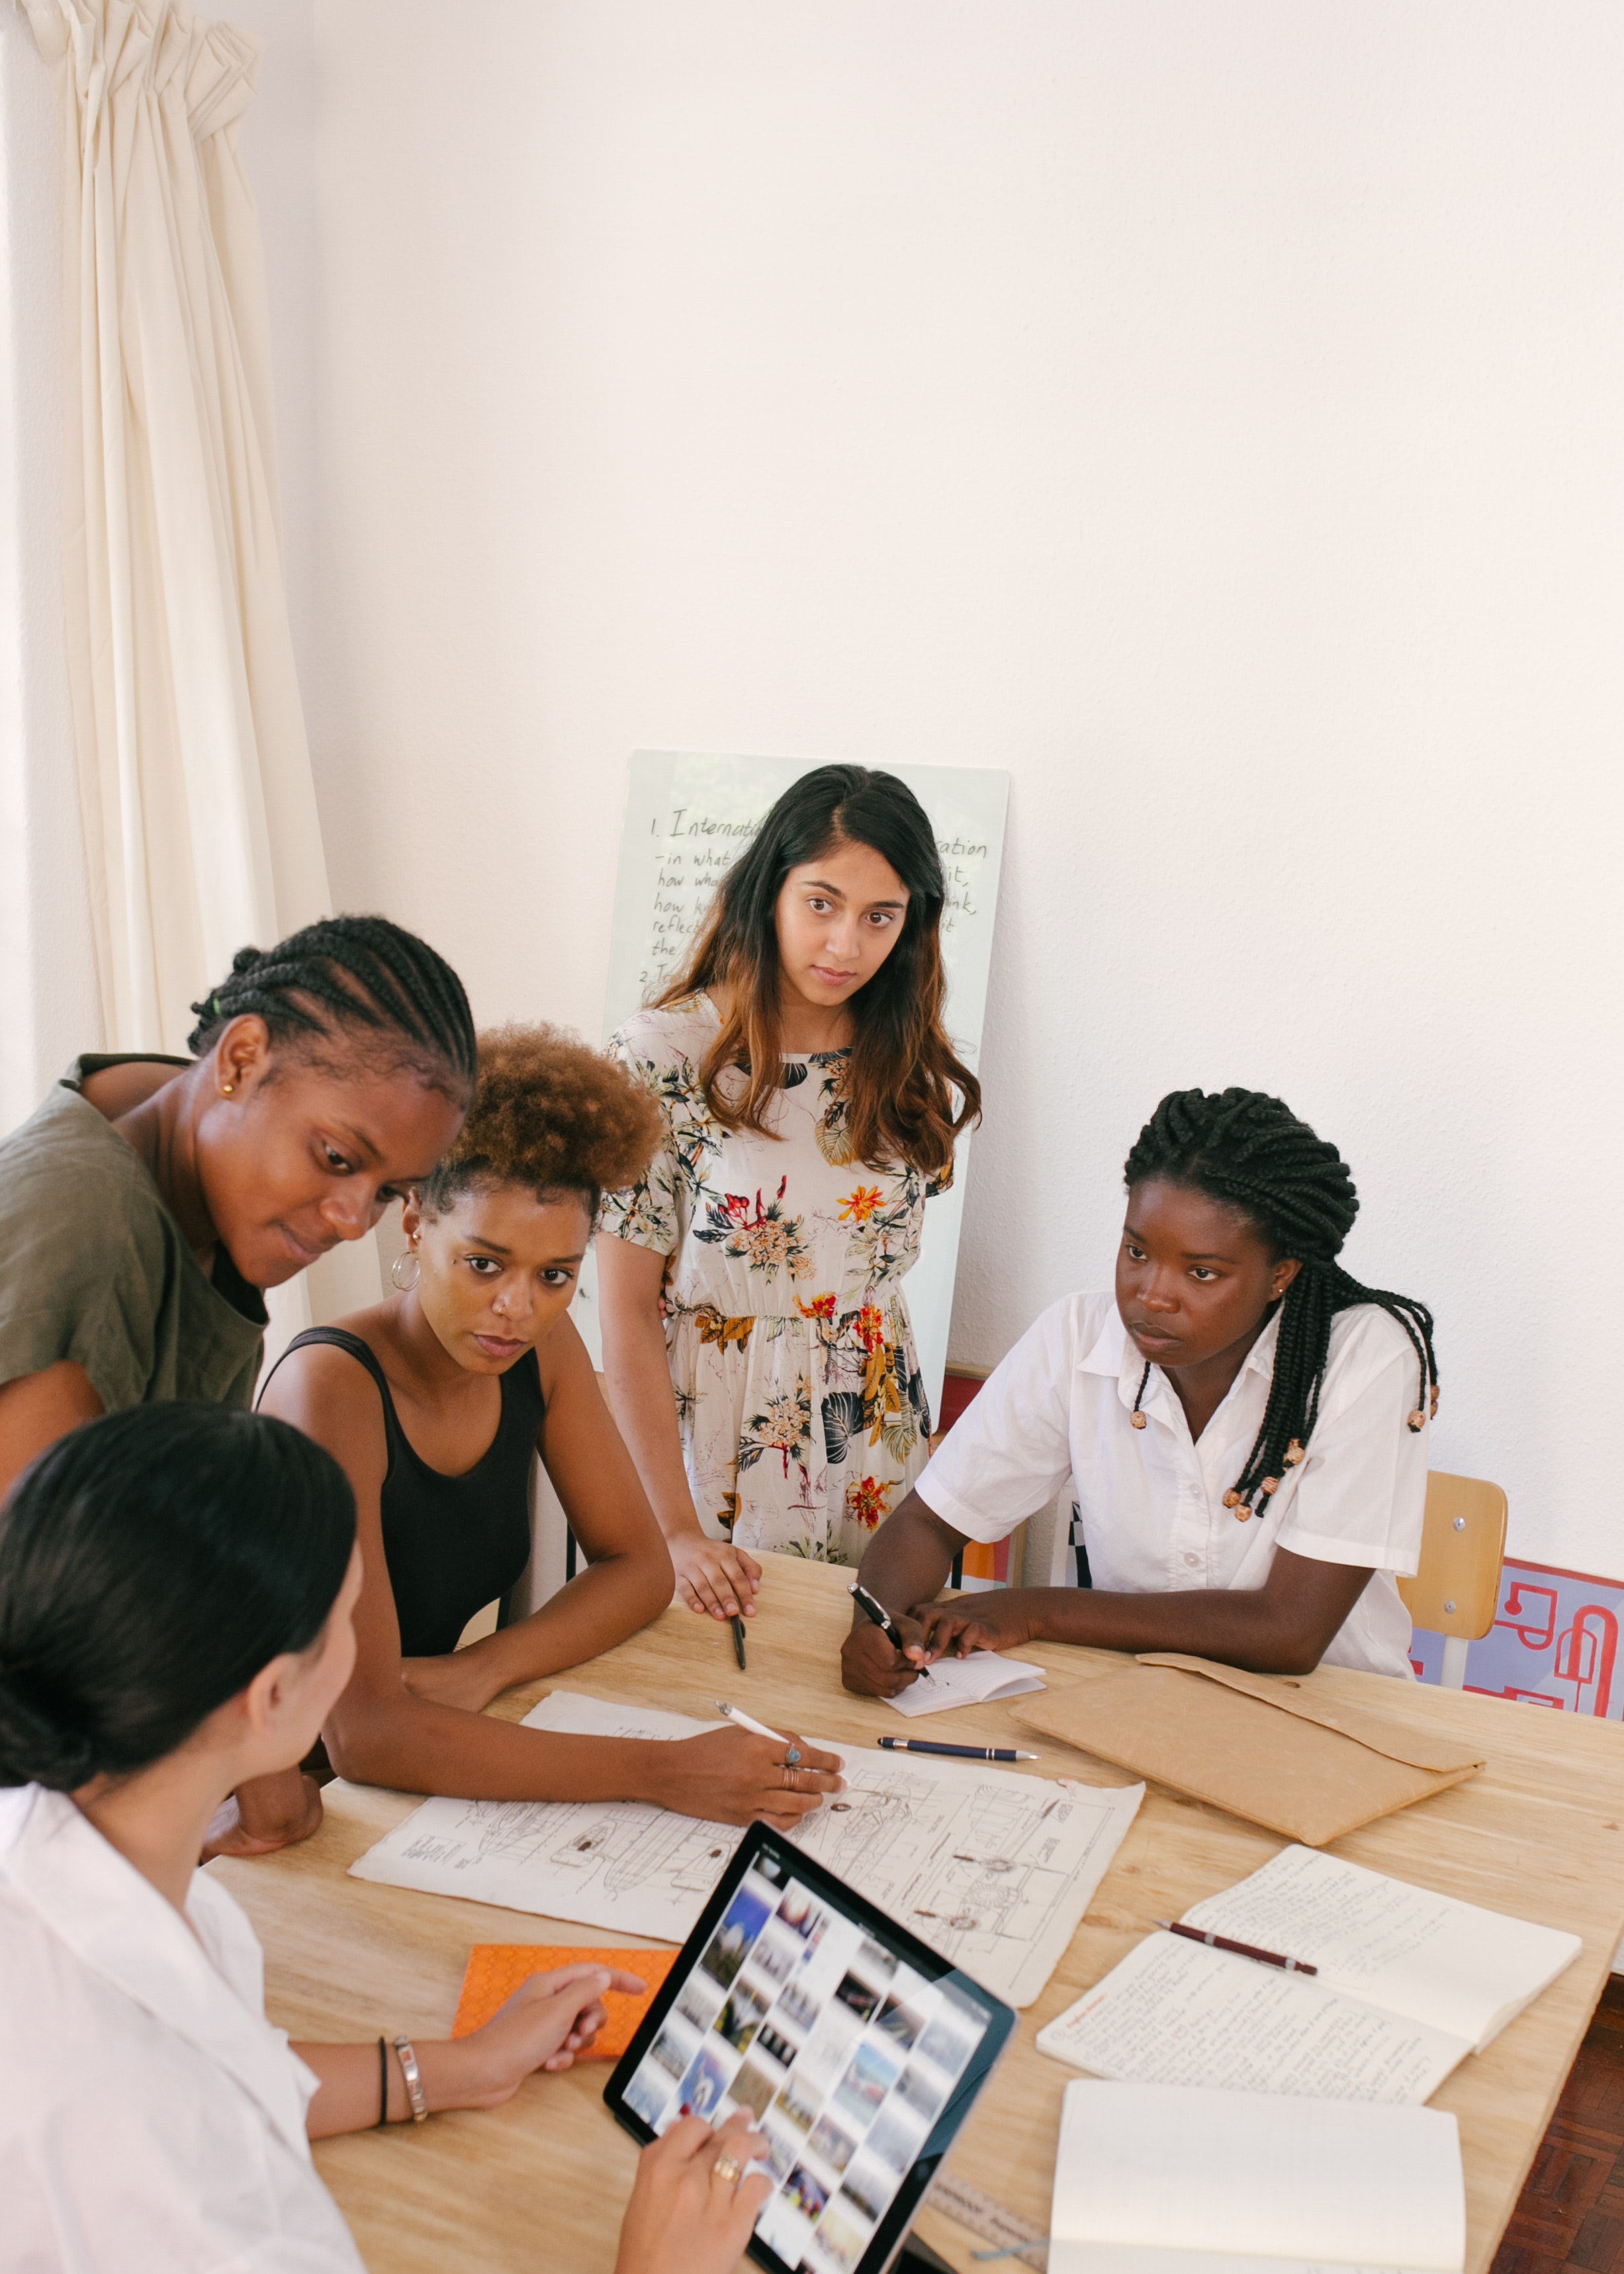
(354, 972)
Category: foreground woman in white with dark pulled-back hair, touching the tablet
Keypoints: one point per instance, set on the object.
(176, 1593)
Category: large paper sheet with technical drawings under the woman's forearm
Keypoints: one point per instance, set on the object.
(991, 1868)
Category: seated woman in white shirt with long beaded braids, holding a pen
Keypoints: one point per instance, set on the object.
(1243, 1431)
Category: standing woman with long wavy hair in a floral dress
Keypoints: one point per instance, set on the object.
(756, 1338)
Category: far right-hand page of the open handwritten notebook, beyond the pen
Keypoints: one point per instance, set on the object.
(1420, 1955)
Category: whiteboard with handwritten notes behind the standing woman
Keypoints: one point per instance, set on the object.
(688, 818)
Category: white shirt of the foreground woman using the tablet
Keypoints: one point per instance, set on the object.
(151, 2121)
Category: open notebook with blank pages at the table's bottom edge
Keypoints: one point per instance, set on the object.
(1173, 2180)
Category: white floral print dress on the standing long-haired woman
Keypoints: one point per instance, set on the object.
(799, 1400)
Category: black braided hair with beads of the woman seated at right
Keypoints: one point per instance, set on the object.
(1250, 1152)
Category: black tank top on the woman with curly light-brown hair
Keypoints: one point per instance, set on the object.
(451, 1543)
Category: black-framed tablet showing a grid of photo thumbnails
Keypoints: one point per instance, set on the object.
(856, 2050)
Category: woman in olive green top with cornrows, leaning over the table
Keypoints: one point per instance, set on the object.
(149, 1202)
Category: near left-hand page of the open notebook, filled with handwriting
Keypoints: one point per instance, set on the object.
(1179, 2014)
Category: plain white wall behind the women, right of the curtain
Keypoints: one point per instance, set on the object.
(1211, 413)
